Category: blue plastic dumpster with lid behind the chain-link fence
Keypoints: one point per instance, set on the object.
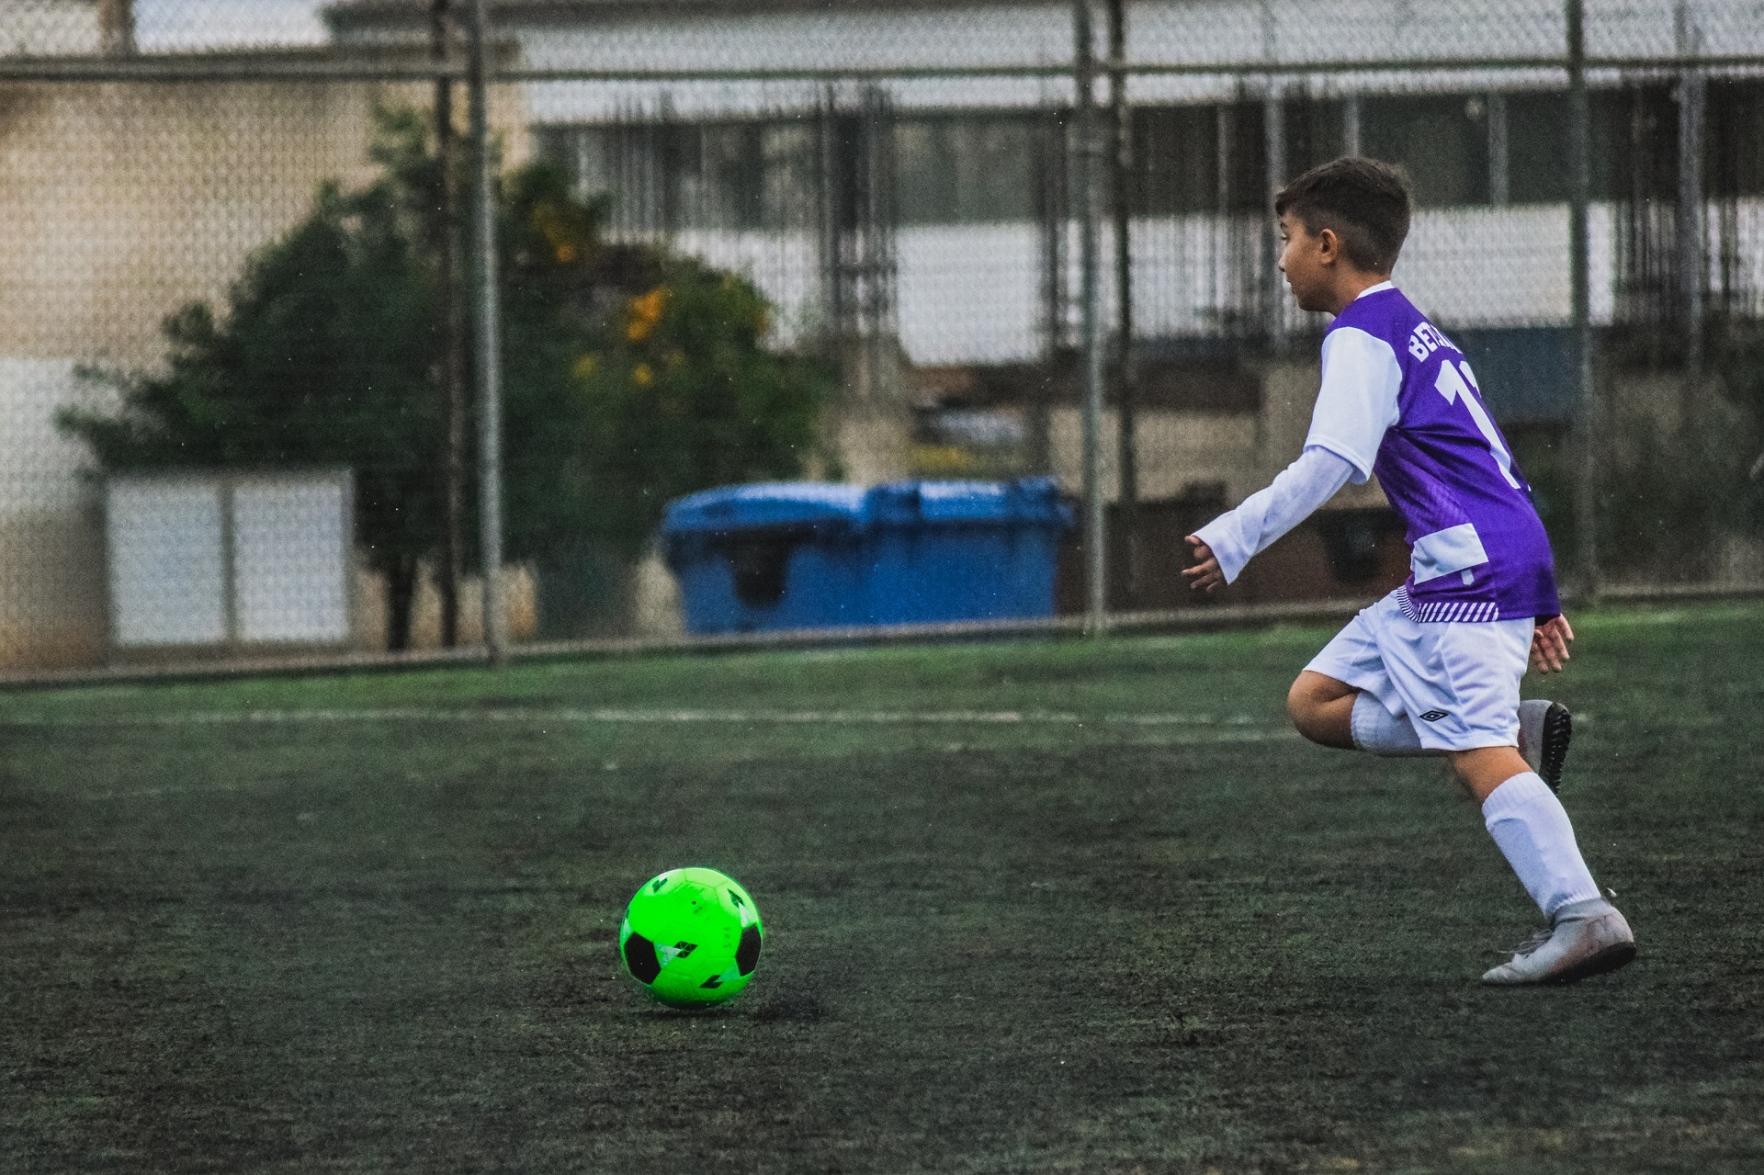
(807, 555)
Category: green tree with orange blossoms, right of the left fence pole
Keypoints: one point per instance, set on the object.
(654, 378)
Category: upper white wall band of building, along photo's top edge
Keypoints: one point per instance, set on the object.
(1174, 33)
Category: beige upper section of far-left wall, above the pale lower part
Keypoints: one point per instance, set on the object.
(126, 202)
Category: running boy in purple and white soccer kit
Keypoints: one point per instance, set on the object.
(1433, 668)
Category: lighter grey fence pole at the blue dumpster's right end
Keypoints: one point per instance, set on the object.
(1096, 617)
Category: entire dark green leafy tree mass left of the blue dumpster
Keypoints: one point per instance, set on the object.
(631, 375)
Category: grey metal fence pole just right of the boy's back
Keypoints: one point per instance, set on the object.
(1580, 262)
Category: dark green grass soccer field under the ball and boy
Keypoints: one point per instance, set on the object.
(1031, 908)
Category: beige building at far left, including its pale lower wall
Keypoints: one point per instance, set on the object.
(121, 206)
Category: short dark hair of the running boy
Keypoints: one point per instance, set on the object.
(1364, 200)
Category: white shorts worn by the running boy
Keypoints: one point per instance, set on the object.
(1458, 684)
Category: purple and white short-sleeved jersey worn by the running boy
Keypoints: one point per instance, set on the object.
(1400, 401)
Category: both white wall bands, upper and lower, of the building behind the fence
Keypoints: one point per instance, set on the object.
(973, 292)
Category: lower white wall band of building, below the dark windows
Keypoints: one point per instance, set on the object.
(971, 294)
